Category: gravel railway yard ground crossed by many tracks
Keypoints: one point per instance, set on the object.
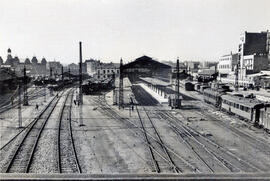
(149, 137)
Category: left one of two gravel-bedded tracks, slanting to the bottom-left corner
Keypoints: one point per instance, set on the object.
(20, 160)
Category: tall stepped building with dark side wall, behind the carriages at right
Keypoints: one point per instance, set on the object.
(252, 58)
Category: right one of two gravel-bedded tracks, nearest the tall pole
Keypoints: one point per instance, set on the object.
(67, 156)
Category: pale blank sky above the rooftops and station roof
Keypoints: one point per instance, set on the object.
(109, 29)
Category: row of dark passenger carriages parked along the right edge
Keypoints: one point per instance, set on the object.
(248, 108)
